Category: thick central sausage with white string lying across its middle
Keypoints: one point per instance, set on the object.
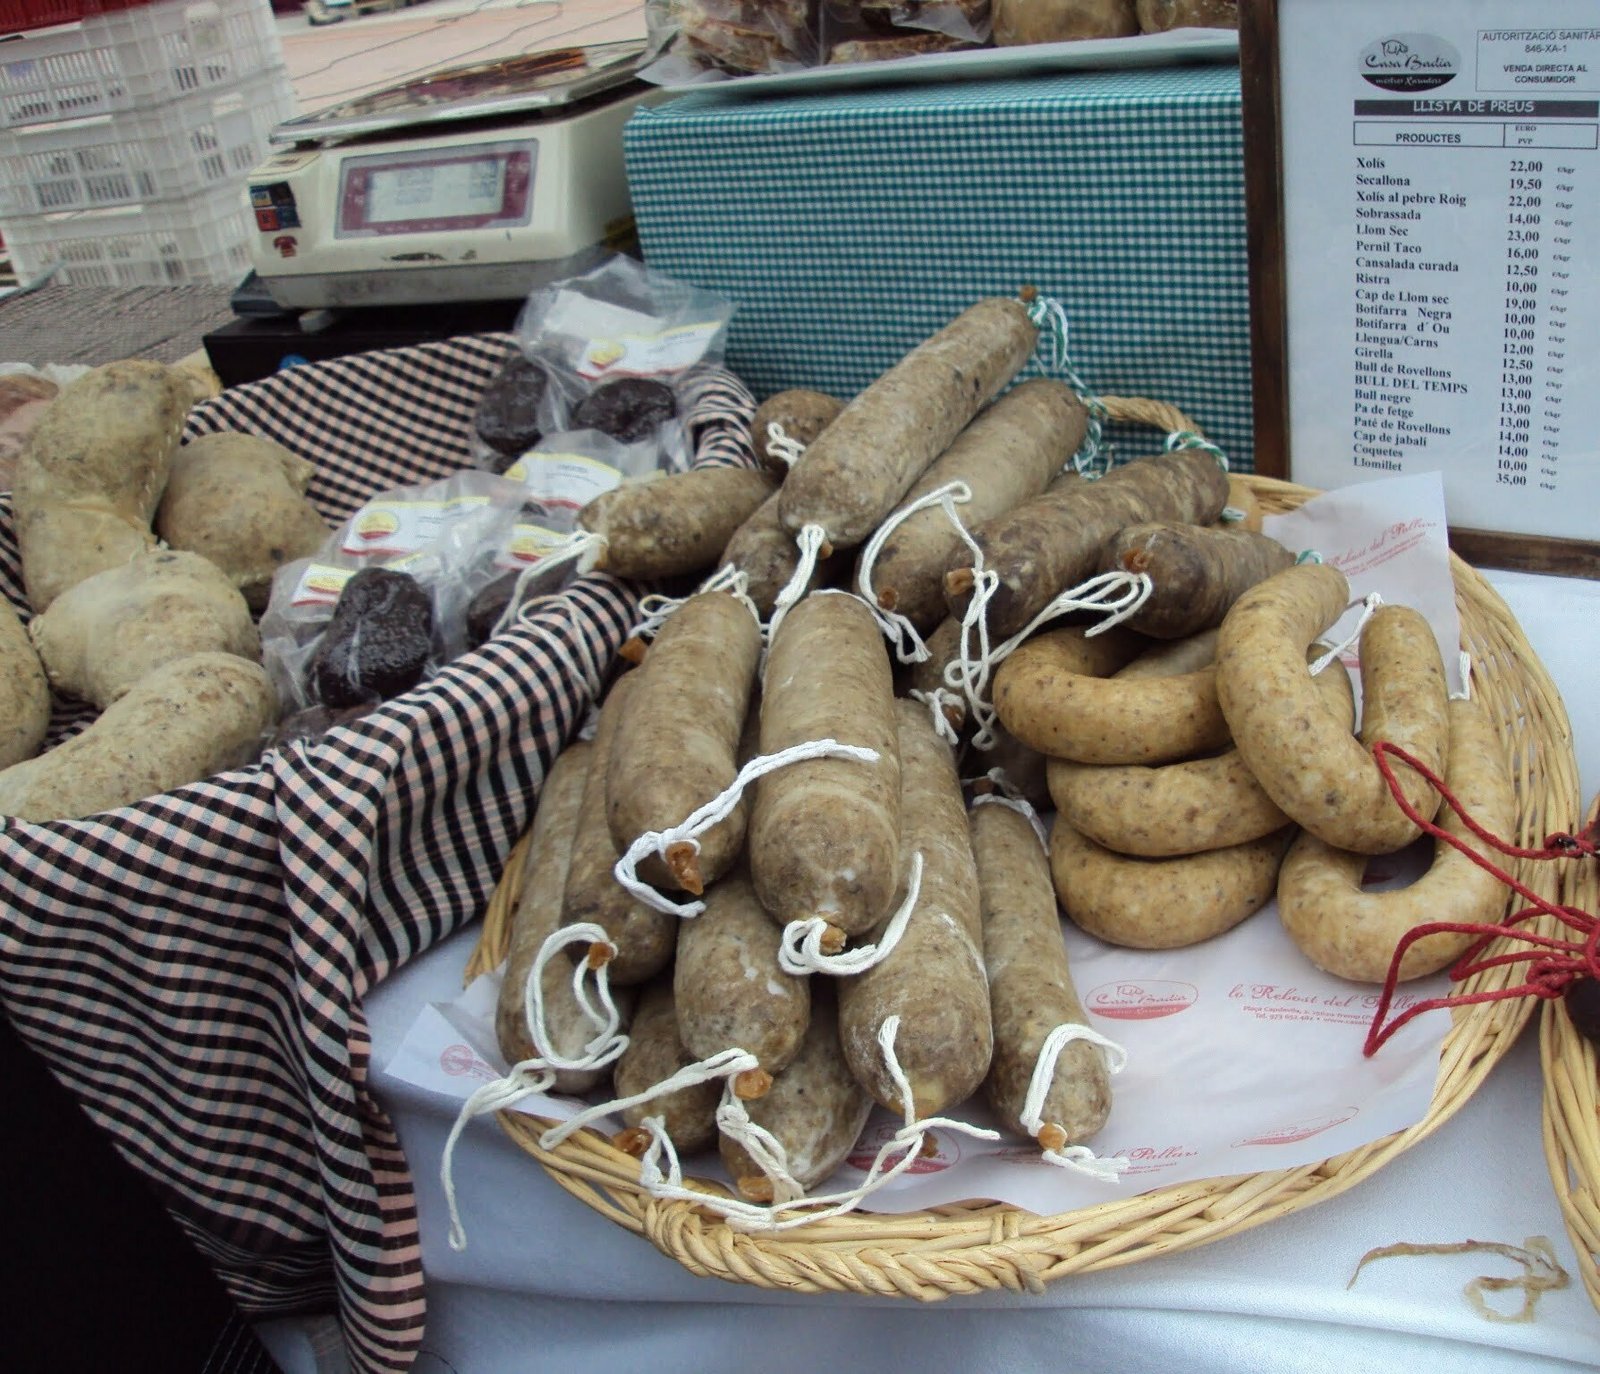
(825, 833)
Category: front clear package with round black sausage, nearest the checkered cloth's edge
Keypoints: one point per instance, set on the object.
(385, 602)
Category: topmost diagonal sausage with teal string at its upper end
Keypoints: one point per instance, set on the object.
(857, 471)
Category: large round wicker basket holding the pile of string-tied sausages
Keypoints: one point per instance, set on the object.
(975, 1247)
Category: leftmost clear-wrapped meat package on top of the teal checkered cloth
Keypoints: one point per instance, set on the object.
(732, 38)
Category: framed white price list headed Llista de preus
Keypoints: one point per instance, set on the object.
(1425, 186)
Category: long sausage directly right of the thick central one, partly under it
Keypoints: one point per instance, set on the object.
(934, 980)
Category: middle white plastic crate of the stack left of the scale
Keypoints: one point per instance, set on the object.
(166, 153)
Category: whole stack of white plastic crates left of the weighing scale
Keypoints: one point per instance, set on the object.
(127, 137)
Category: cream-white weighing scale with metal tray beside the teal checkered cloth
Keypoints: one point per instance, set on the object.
(473, 183)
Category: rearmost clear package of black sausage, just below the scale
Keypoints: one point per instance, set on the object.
(617, 346)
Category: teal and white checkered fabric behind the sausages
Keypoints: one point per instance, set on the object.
(850, 225)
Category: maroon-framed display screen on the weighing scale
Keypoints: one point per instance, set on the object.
(430, 191)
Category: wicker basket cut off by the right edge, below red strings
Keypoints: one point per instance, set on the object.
(1572, 1109)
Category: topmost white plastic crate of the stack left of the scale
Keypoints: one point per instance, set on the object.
(135, 60)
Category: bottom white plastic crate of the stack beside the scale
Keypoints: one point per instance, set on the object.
(193, 242)
